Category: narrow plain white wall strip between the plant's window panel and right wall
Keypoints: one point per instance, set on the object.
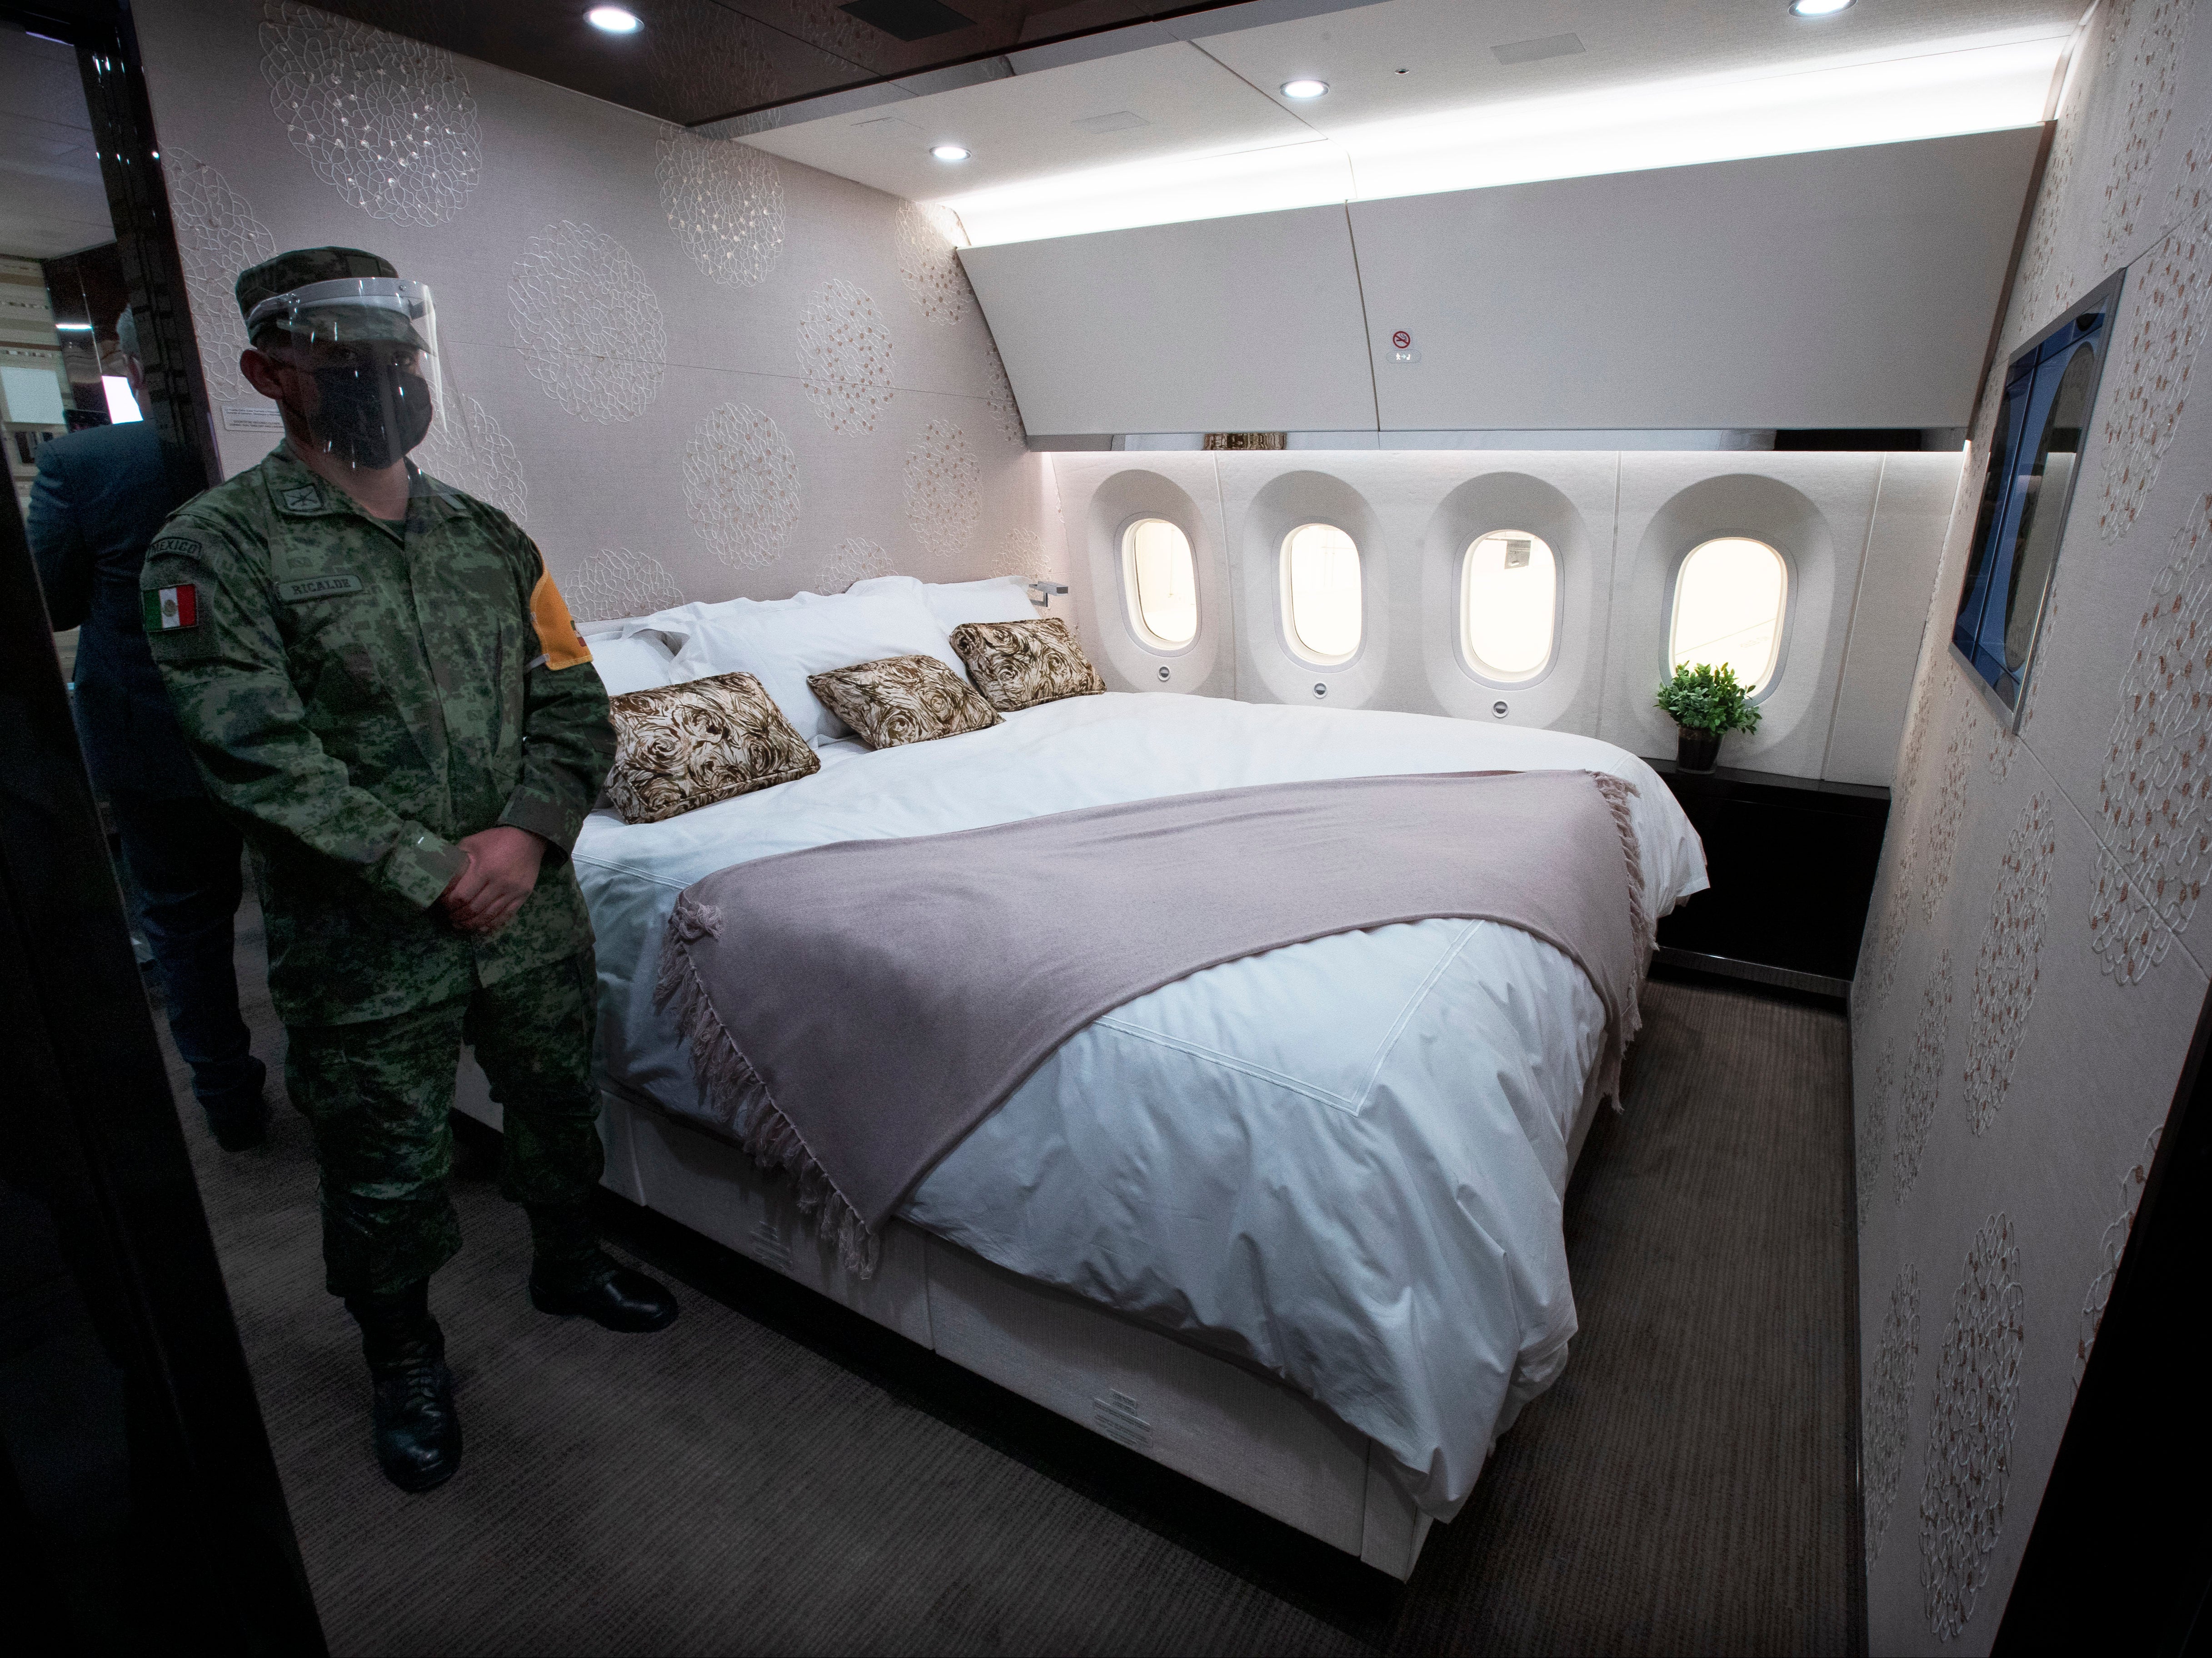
(1903, 549)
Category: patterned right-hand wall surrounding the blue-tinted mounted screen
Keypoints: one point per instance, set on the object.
(2032, 978)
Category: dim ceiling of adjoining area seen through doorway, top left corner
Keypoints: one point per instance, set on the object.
(52, 200)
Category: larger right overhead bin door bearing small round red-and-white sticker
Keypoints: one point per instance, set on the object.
(1841, 288)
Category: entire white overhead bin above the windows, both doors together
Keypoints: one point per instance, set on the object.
(1839, 288)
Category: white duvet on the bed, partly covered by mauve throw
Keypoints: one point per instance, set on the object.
(1339, 1162)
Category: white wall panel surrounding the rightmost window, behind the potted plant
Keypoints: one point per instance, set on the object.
(1808, 507)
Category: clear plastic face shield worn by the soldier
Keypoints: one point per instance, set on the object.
(371, 344)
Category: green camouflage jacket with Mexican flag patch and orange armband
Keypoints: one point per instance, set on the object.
(362, 700)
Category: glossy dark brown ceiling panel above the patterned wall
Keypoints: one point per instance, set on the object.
(702, 61)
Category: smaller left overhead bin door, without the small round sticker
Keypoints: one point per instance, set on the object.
(1244, 324)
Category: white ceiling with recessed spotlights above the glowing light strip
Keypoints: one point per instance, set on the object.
(1211, 94)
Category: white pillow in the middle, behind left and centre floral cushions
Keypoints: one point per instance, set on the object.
(786, 640)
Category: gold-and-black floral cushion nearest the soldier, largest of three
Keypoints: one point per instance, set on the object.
(689, 746)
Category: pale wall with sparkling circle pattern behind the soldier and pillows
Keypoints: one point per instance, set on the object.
(689, 368)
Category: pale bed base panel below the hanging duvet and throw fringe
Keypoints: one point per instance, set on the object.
(1202, 1416)
